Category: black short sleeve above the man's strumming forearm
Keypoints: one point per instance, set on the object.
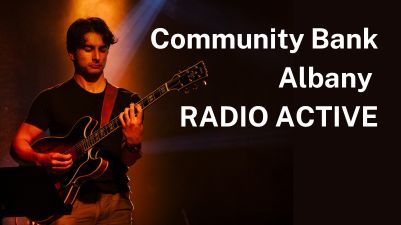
(38, 114)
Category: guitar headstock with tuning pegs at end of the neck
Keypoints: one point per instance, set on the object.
(192, 77)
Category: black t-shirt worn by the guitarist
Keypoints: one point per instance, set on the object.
(58, 108)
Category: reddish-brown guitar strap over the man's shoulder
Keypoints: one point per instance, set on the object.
(109, 99)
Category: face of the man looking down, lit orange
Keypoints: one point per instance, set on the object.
(91, 58)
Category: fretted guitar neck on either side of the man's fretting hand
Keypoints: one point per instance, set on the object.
(114, 123)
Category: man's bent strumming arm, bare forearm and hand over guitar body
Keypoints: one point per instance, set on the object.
(22, 150)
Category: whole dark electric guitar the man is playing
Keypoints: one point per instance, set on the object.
(82, 138)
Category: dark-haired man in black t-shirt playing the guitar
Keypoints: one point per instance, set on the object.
(104, 200)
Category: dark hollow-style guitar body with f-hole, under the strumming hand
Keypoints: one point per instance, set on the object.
(86, 165)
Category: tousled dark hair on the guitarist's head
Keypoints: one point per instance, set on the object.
(77, 30)
